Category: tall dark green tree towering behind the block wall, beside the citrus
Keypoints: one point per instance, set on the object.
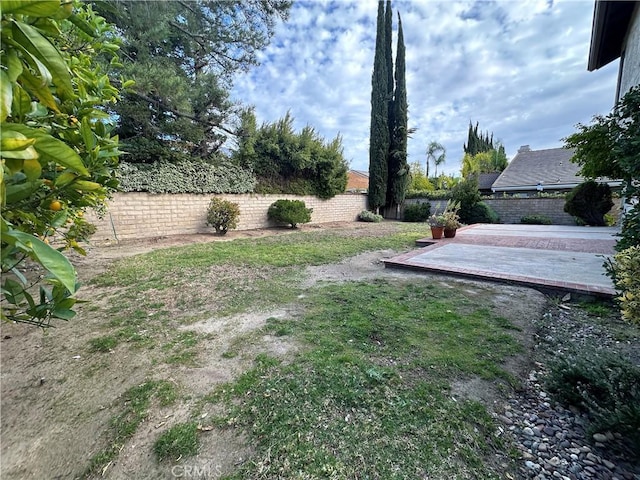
(182, 55)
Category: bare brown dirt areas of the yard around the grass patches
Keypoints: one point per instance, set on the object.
(58, 397)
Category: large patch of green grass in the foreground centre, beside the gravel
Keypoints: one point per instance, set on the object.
(371, 396)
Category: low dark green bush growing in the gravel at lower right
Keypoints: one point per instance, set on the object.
(605, 385)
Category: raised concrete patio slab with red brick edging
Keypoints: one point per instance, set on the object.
(550, 257)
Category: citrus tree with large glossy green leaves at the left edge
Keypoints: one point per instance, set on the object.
(57, 153)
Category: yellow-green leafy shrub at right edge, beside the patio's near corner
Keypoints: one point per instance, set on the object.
(625, 271)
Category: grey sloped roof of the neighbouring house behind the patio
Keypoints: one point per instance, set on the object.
(550, 168)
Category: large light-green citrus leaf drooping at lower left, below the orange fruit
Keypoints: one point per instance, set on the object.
(51, 259)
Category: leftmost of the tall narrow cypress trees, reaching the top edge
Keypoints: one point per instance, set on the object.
(379, 133)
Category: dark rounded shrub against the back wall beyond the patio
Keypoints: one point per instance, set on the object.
(589, 201)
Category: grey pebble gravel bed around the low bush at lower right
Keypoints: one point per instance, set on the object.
(553, 440)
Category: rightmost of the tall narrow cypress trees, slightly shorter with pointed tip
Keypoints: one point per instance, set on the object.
(398, 167)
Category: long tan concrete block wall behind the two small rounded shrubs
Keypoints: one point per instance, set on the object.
(145, 215)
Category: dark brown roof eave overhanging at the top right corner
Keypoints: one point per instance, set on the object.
(610, 24)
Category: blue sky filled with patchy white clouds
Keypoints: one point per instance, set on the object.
(518, 68)
